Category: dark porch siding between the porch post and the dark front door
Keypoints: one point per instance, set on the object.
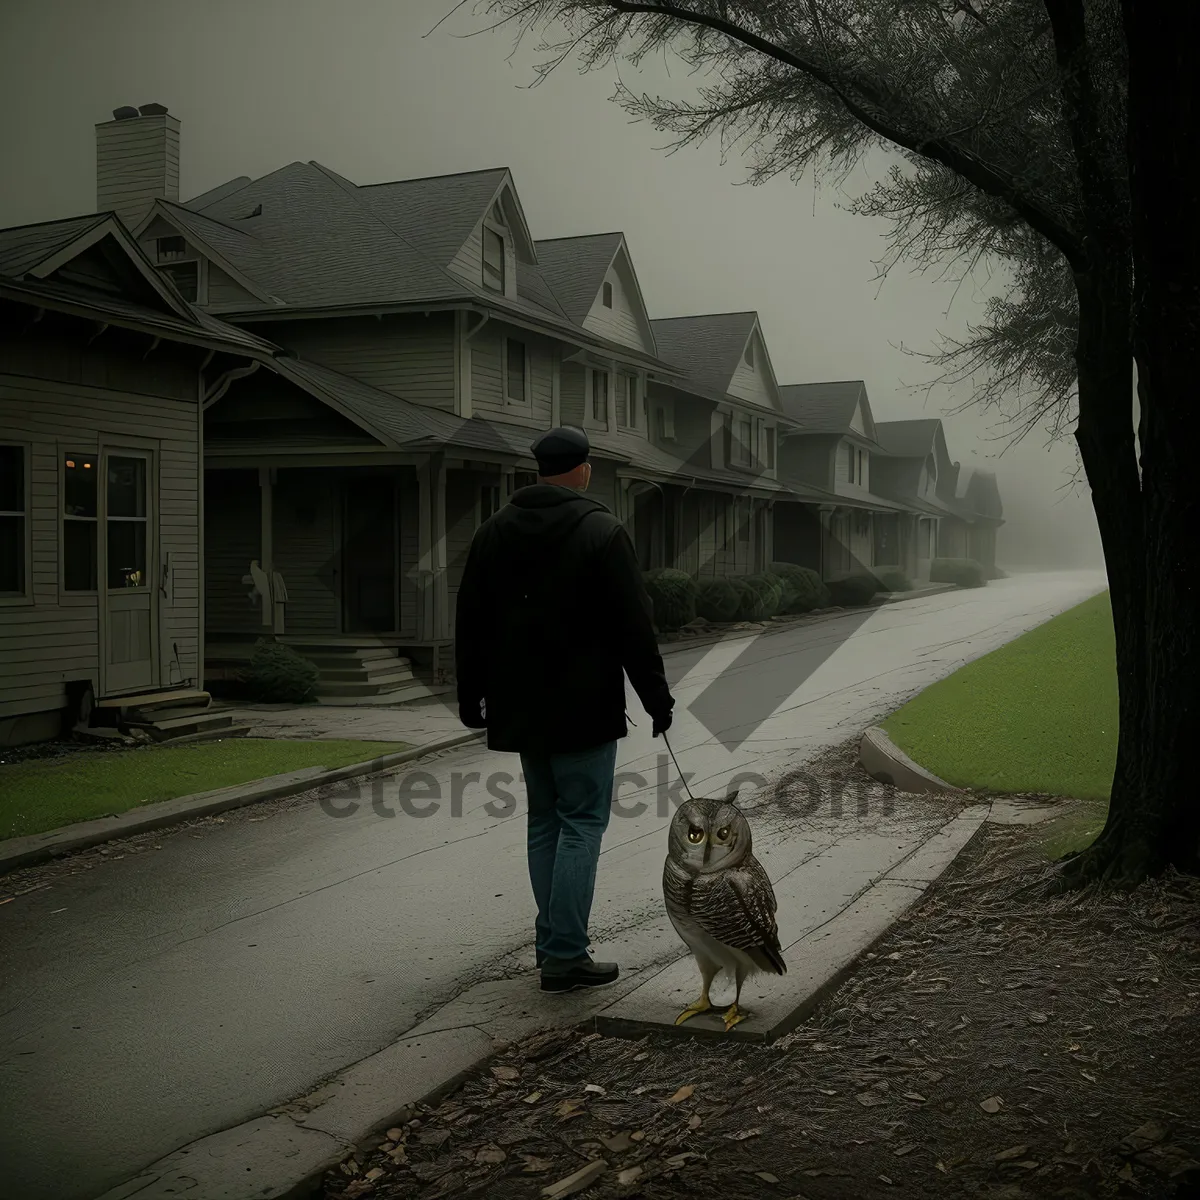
(307, 542)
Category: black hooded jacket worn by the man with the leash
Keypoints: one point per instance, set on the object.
(551, 608)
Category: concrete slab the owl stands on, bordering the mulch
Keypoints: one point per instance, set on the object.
(818, 962)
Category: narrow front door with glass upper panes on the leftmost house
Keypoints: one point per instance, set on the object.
(128, 562)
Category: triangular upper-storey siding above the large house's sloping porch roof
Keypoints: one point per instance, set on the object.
(407, 357)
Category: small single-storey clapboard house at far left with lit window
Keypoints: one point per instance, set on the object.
(104, 379)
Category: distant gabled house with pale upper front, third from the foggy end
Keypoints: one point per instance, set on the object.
(831, 451)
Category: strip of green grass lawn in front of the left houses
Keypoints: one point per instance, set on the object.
(44, 795)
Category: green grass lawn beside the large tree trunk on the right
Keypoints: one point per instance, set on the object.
(1037, 716)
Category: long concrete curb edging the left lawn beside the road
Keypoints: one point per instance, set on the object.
(39, 848)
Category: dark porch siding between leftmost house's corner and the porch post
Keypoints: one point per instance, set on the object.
(232, 541)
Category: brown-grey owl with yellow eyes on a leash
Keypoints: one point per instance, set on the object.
(719, 899)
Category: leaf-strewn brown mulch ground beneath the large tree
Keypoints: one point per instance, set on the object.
(998, 1045)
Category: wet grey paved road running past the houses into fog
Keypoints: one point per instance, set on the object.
(160, 998)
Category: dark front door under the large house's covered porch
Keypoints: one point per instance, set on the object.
(370, 556)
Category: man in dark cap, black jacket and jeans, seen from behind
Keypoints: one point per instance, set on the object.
(551, 609)
